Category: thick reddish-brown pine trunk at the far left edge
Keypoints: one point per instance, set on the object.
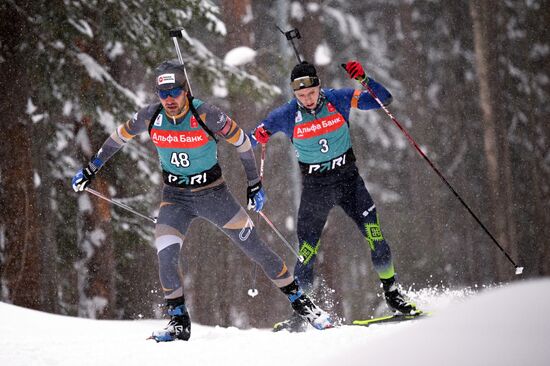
(20, 268)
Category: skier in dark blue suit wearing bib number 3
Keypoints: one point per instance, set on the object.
(317, 124)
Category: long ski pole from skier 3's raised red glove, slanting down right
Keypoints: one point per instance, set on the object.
(519, 270)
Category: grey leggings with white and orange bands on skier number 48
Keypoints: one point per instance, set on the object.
(179, 207)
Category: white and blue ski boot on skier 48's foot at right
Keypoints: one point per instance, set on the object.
(306, 309)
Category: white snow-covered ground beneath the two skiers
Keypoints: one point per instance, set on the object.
(508, 325)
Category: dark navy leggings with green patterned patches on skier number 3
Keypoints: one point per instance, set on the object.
(347, 190)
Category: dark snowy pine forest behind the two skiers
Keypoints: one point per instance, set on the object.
(470, 81)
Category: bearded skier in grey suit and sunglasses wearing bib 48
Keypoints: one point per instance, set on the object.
(184, 131)
